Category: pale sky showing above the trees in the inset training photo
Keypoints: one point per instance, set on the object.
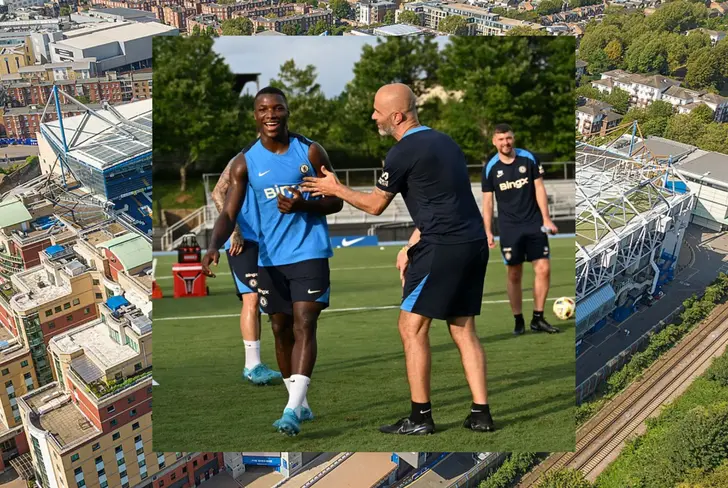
(334, 57)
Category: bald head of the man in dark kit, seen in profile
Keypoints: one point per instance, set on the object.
(395, 110)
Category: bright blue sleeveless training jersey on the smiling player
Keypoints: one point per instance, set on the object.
(284, 238)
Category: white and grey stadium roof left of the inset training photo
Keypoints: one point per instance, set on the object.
(102, 145)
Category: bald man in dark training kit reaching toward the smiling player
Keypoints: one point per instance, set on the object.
(443, 266)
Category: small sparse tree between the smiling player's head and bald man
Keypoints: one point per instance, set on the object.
(310, 111)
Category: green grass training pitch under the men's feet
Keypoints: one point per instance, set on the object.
(359, 383)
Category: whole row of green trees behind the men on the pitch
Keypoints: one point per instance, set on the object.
(200, 122)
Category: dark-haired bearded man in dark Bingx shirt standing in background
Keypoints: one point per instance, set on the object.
(515, 178)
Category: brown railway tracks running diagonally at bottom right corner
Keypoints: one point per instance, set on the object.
(601, 437)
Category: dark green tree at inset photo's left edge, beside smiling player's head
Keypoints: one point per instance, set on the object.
(196, 111)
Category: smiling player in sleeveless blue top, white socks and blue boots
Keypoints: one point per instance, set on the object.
(294, 244)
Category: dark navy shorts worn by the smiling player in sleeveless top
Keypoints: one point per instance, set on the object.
(279, 287)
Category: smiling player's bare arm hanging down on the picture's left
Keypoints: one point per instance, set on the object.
(225, 222)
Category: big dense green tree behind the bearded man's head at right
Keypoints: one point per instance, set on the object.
(535, 101)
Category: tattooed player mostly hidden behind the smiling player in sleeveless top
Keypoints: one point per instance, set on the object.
(242, 256)
